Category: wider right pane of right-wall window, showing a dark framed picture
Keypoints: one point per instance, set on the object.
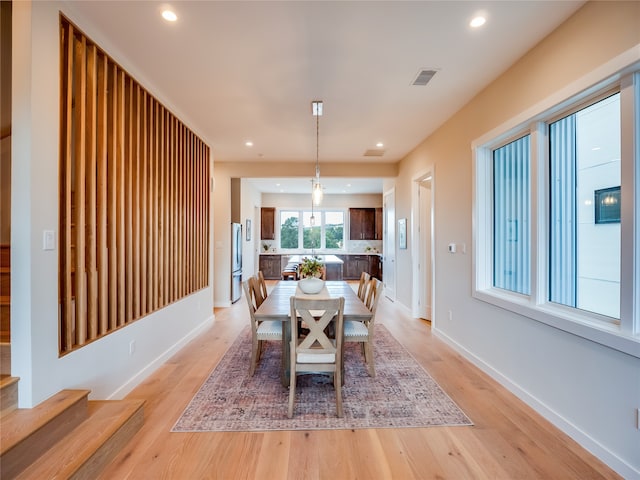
(584, 261)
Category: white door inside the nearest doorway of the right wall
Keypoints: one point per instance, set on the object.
(424, 194)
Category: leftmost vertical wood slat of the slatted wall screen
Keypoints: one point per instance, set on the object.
(66, 327)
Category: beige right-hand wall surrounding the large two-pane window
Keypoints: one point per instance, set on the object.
(588, 390)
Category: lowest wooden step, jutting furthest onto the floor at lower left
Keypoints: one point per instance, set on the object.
(85, 452)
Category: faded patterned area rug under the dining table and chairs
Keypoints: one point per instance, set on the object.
(401, 394)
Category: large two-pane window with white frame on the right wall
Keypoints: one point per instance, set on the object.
(557, 215)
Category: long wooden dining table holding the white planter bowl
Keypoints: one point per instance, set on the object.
(277, 307)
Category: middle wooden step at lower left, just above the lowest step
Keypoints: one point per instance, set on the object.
(27, 433)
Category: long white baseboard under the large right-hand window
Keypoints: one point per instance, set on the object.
(586, 441)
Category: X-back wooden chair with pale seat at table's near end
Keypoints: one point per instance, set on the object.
(316, 352)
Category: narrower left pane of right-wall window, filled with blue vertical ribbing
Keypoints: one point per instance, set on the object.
(511, 226)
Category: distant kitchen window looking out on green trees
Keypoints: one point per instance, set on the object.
(318, 230)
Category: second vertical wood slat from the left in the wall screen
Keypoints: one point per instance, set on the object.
(79, 197)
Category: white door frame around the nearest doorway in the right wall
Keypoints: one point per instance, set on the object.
(415, 237)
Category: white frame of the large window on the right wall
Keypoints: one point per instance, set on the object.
(622, 335)
